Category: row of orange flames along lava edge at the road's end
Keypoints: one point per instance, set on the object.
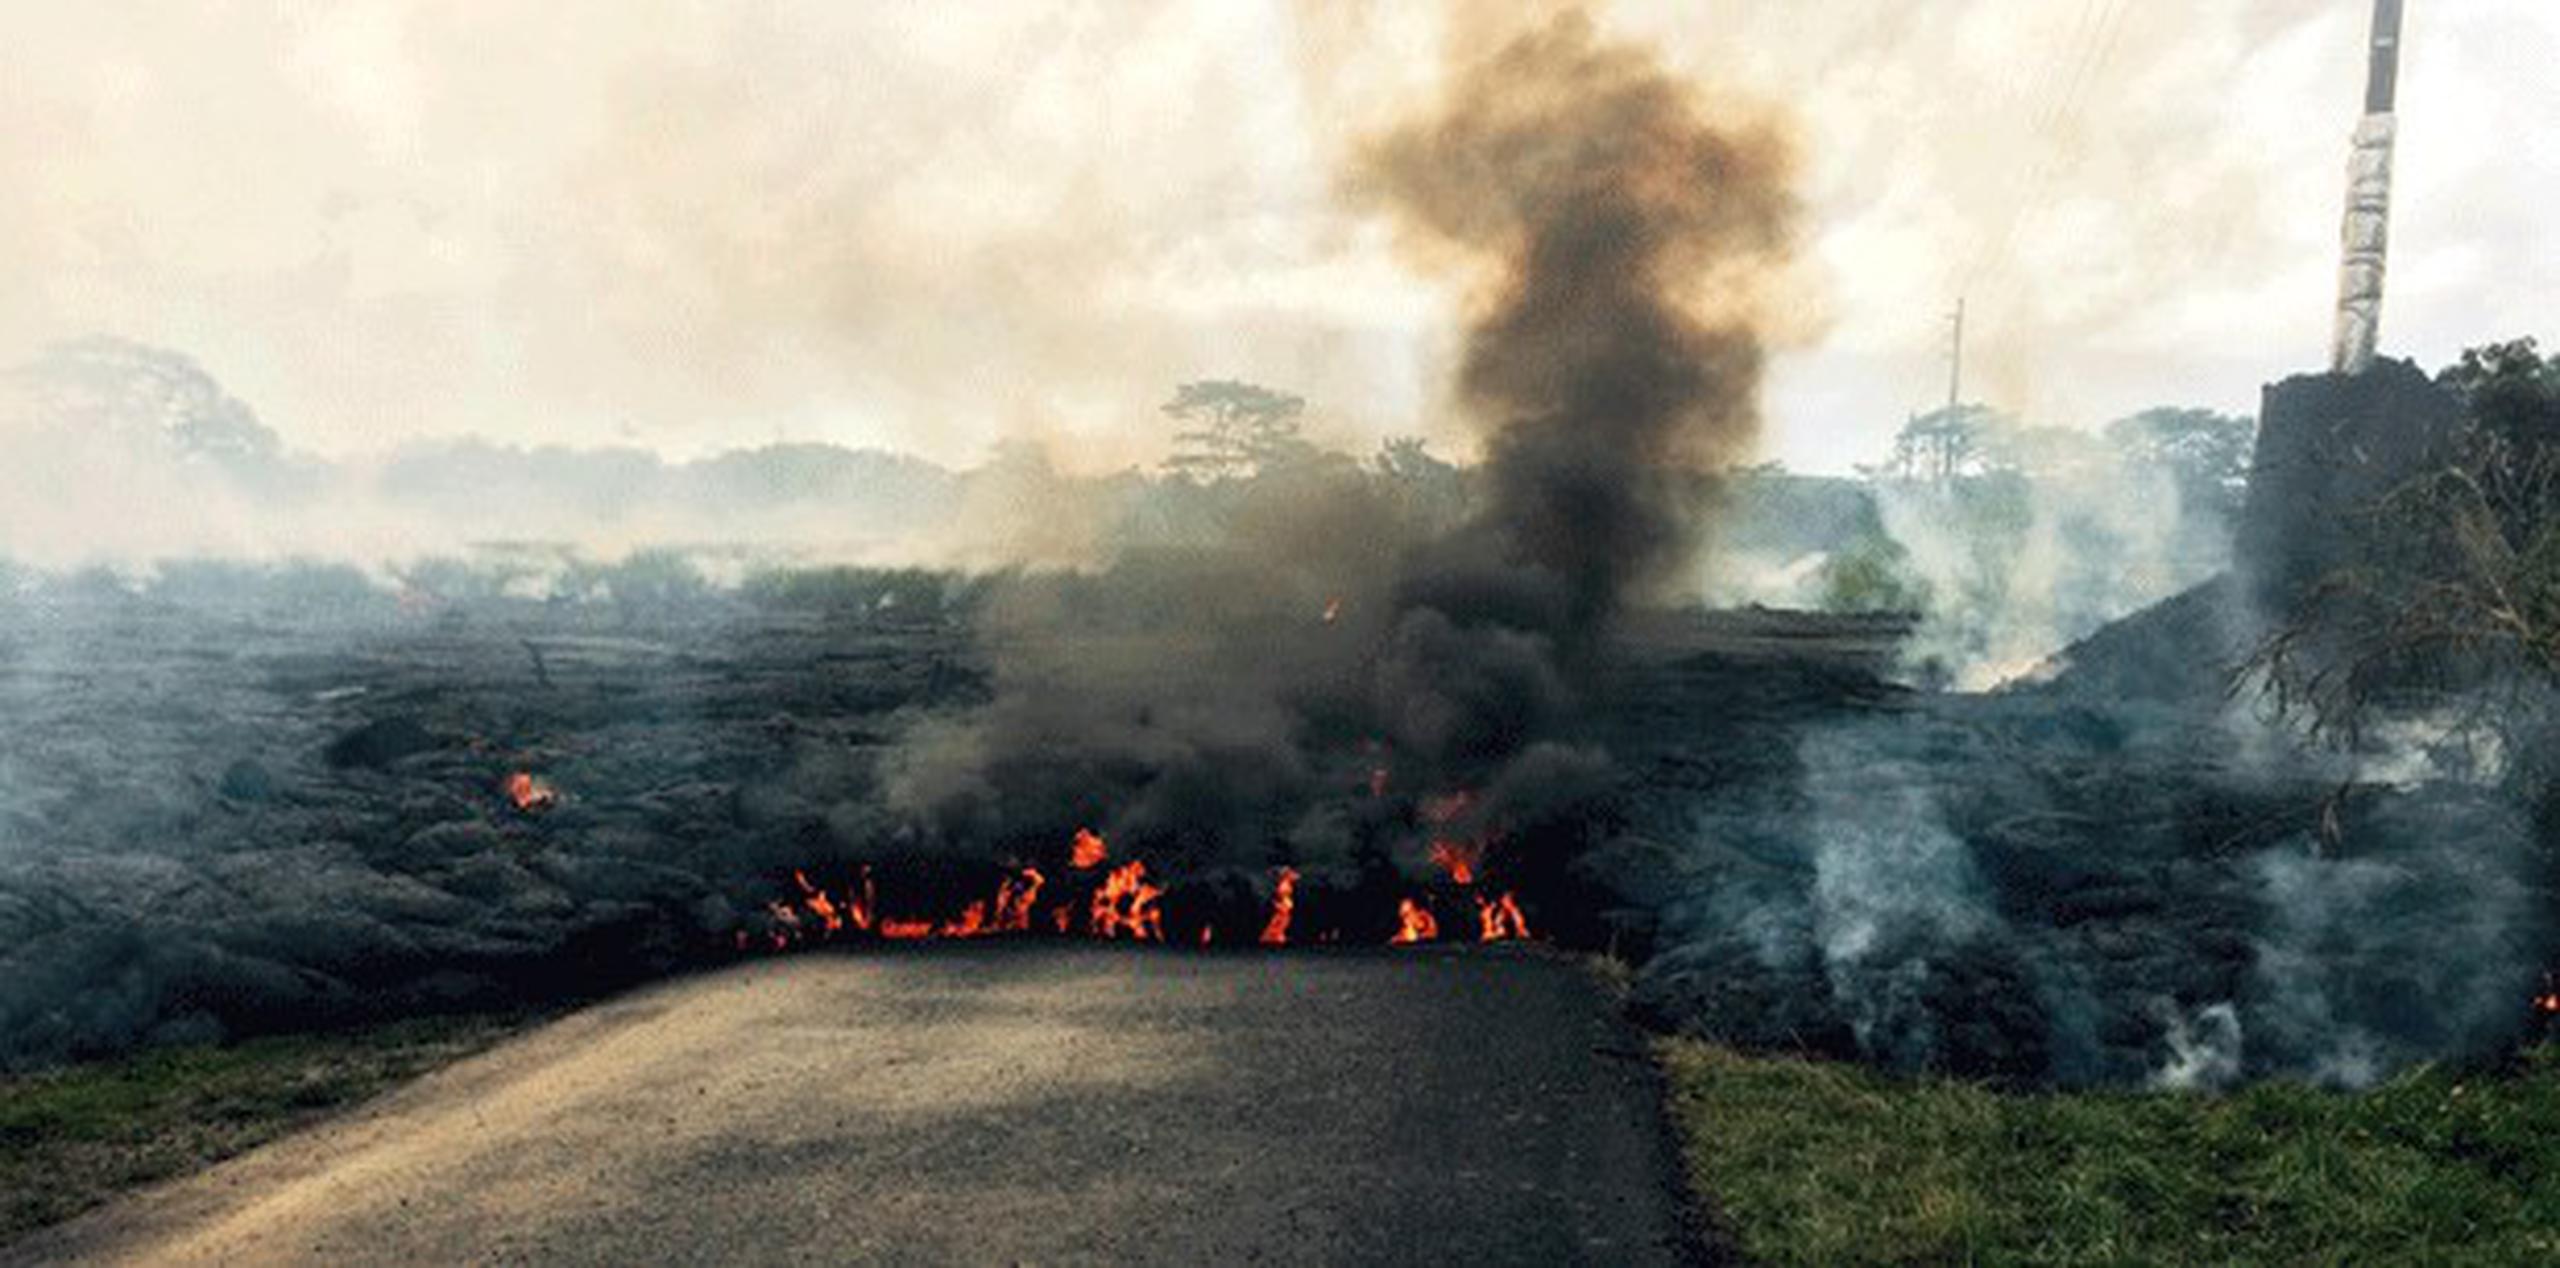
(1097, 898)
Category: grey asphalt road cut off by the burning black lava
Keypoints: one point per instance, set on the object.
(987, 1105)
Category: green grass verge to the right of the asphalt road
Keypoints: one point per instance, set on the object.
(1829, 1164)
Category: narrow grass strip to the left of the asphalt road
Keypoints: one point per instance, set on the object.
(78, 1136)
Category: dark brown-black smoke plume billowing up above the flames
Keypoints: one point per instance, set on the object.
(1299, 695)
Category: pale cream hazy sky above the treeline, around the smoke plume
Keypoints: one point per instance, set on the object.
(692, 227)
